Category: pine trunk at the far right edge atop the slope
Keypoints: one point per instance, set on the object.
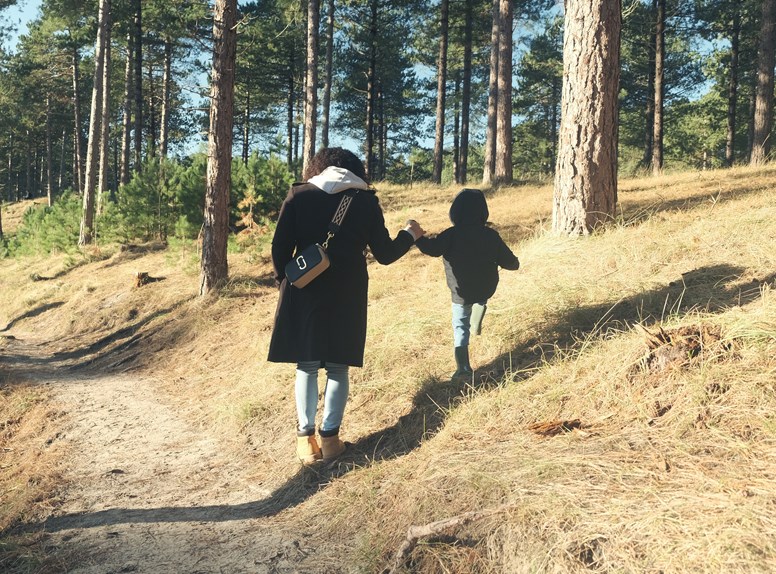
(763, 107)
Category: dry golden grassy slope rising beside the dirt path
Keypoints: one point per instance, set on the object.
(671, 471)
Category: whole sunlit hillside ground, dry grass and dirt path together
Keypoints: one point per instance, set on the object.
(620, 418)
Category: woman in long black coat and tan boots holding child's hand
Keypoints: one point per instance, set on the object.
(323, 325)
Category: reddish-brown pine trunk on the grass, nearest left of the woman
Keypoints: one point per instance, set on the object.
(215, 228)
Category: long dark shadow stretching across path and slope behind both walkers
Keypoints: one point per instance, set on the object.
(711, 289)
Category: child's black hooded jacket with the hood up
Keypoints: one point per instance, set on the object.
(472, 251)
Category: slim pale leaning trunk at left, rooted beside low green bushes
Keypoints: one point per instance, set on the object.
(93, 147)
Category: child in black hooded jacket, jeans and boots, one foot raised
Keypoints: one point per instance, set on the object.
(472, 254)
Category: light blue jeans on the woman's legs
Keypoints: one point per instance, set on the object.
(335, 395)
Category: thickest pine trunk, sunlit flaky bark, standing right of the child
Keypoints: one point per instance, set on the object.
(586, 176)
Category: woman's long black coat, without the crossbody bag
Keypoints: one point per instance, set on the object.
(326, 319)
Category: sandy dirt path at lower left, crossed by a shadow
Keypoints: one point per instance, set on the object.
(147, 491)
